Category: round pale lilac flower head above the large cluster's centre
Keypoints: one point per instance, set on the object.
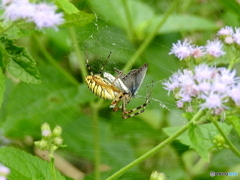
(214, 48)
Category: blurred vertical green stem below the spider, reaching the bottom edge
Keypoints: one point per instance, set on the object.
(97, 149)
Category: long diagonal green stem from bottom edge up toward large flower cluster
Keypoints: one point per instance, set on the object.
(156, 149)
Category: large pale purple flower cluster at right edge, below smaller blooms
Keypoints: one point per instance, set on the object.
(212, 87)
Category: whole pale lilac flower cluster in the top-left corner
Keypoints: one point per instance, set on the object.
(43, 15)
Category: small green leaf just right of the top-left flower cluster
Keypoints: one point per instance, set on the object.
(78, 19)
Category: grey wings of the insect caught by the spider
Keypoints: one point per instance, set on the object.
(134, 78)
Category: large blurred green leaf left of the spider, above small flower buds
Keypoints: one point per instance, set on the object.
(55, 98)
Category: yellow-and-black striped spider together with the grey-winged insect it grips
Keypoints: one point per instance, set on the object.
(120, 88)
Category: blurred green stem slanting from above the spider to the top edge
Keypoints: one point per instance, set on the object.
(150, 36)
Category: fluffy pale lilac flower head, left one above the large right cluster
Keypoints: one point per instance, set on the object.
(181, 50)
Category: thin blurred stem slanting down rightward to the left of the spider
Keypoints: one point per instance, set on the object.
(50, 59)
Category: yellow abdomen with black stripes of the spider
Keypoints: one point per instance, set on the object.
(101, 87)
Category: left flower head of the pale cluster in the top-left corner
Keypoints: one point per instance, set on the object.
(20, 9)
